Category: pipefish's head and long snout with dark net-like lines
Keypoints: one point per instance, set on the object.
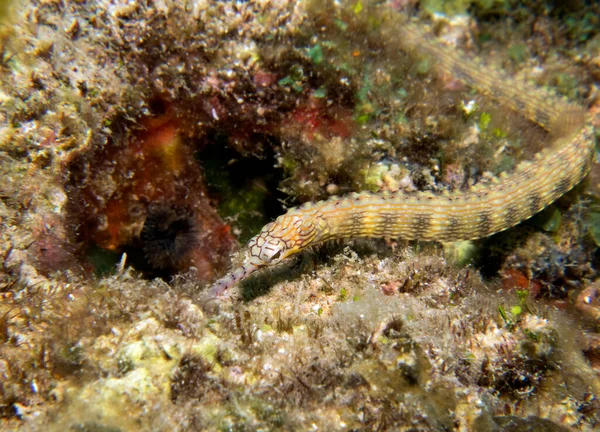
(287, 235)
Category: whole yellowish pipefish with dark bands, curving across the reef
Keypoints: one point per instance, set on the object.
(462, 215)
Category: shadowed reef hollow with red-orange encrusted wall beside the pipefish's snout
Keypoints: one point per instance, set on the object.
(152, 193)
